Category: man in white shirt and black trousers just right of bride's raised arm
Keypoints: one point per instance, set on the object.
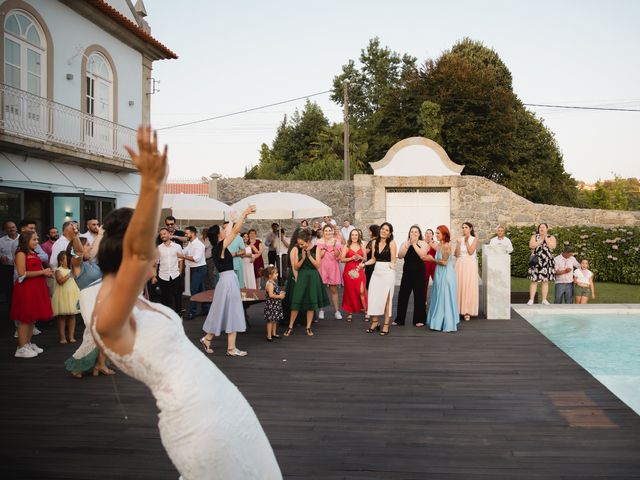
(169, 271)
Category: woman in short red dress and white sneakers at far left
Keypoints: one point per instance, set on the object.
(30, 301)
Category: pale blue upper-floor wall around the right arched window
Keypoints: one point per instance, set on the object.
(72, 33)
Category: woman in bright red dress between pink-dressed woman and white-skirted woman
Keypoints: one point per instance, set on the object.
(354, 298)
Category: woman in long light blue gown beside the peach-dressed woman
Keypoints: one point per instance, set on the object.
(443, 308)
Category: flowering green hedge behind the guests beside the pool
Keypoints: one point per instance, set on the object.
(613, 253)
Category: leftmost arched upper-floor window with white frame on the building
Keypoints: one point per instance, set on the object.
(24, 53)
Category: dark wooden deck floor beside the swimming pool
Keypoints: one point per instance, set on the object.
(493, 401)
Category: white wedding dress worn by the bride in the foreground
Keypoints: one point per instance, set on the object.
(207, 427)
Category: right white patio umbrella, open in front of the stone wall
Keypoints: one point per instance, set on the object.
(282, 206)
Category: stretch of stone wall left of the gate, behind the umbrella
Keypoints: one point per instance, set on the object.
(337, 194)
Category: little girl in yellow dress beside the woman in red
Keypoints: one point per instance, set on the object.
(66, 295)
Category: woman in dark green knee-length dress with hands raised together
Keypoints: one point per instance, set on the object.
(305, 291)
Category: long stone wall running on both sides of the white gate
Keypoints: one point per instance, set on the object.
(474, 199)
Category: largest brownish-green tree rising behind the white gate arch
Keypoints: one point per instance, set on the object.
(487, 128)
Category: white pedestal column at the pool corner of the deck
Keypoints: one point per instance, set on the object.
(496, 279)
